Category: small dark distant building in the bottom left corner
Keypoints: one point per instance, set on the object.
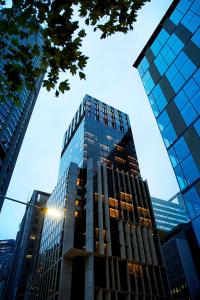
(7, 249)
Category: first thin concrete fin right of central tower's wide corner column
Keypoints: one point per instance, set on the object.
(100, 209)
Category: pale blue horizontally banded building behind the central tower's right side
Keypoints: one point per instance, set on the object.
(169, 214)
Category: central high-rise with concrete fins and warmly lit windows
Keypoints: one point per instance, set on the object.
(106, 245)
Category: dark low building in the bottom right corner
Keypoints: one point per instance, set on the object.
(181, 254)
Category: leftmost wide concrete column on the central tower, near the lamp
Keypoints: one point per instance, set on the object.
(68, 238)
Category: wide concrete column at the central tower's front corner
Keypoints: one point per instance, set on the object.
(89, 208)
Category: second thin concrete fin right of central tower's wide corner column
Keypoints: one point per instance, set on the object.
(106, 211)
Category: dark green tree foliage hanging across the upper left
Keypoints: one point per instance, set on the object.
(59, 23)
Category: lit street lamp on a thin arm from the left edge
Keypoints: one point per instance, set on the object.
(48, 211)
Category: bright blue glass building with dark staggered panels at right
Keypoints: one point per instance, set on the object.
(169, 68)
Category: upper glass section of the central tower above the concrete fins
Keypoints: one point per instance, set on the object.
(99, 131)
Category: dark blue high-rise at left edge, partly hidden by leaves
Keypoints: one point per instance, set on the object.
(14, 119)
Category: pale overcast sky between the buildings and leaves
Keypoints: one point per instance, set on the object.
(112, 79)
